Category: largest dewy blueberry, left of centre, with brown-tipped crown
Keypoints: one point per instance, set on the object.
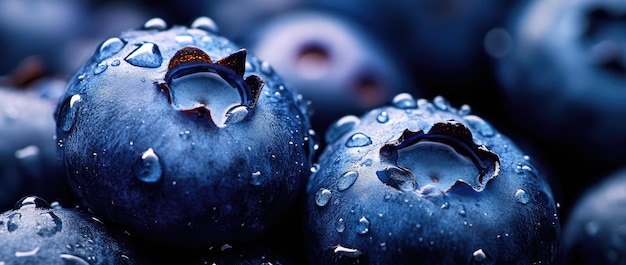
(136, 155)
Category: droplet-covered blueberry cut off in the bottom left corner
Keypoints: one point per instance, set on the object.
(35, 233)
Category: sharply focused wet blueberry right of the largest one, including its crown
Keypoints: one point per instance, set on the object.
(378, 197)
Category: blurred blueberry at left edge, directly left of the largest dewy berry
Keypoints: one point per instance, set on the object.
(28, 157)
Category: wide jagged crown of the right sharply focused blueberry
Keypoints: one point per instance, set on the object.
(448, 144)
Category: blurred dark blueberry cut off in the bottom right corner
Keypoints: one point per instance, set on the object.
(593, 231)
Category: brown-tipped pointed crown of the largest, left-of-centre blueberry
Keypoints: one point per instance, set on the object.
(194, 83)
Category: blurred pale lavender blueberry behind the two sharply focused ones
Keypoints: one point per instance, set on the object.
(331, 60)
